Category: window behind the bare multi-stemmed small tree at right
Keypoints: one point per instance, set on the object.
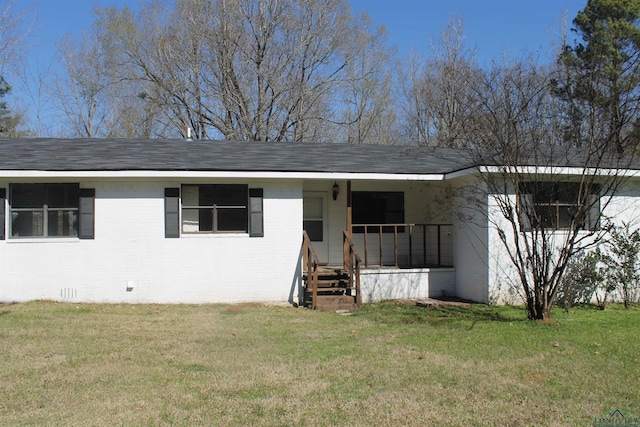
(557, 205)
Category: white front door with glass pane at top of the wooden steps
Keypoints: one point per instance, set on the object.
(314, 218)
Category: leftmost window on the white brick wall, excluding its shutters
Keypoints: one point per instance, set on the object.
(44, 210)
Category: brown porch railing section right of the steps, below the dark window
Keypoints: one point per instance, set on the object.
(405, 245)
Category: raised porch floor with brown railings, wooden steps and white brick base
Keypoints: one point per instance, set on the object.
(390, 261)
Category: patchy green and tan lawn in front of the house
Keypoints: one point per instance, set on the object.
(388, 364)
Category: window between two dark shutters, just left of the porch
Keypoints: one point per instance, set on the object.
(215, 208)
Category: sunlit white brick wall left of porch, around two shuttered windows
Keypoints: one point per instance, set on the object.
(130, 260)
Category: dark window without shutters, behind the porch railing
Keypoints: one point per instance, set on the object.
(377, 207)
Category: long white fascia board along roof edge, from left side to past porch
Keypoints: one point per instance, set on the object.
(127, 174)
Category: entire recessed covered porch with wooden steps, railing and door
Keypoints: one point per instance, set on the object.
(367, 241)
